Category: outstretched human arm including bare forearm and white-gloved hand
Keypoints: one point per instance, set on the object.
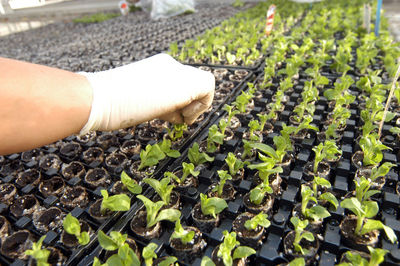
(40, 105)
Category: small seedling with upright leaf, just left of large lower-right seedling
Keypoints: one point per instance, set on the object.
(316, 212)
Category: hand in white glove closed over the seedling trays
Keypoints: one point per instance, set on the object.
(156, 87)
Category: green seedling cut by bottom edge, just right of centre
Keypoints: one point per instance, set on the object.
(231, 250)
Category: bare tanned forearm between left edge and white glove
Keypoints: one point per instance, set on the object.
(40, 105)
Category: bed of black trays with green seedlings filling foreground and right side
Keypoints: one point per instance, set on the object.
(288, 167)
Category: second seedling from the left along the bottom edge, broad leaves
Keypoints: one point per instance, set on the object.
(116, 241)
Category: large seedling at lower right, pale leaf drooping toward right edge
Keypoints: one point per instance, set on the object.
(365, 211)
